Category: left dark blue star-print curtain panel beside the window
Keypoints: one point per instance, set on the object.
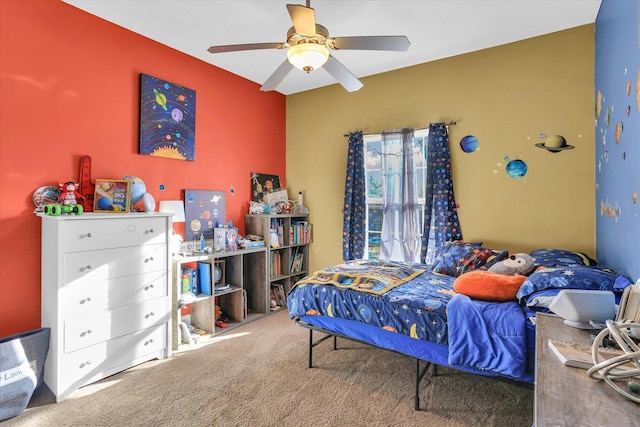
(353, 233)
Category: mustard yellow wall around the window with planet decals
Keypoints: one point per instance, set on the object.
(505, 96)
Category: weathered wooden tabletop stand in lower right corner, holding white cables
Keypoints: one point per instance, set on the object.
(565, 396)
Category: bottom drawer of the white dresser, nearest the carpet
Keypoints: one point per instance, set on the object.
(87, 364)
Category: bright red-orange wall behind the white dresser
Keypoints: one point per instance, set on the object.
(69, 85)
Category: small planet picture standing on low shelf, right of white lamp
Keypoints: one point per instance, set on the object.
(204, 211)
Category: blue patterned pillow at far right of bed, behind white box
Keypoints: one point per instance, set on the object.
(569, 277)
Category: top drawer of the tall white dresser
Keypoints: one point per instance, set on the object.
(85, 235)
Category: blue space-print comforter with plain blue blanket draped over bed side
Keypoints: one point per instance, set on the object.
(479, 335)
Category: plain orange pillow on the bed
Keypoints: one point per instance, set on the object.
(488, 286)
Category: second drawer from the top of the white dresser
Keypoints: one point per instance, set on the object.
(91, 266)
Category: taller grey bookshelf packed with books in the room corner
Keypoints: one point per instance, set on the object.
(288, 262)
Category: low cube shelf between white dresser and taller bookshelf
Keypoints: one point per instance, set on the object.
(246, 299)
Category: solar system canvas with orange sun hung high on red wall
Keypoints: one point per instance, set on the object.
(167, 119)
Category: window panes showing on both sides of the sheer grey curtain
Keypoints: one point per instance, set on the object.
(374, 152)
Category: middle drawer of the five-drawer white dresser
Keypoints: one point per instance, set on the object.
(101, 295)
